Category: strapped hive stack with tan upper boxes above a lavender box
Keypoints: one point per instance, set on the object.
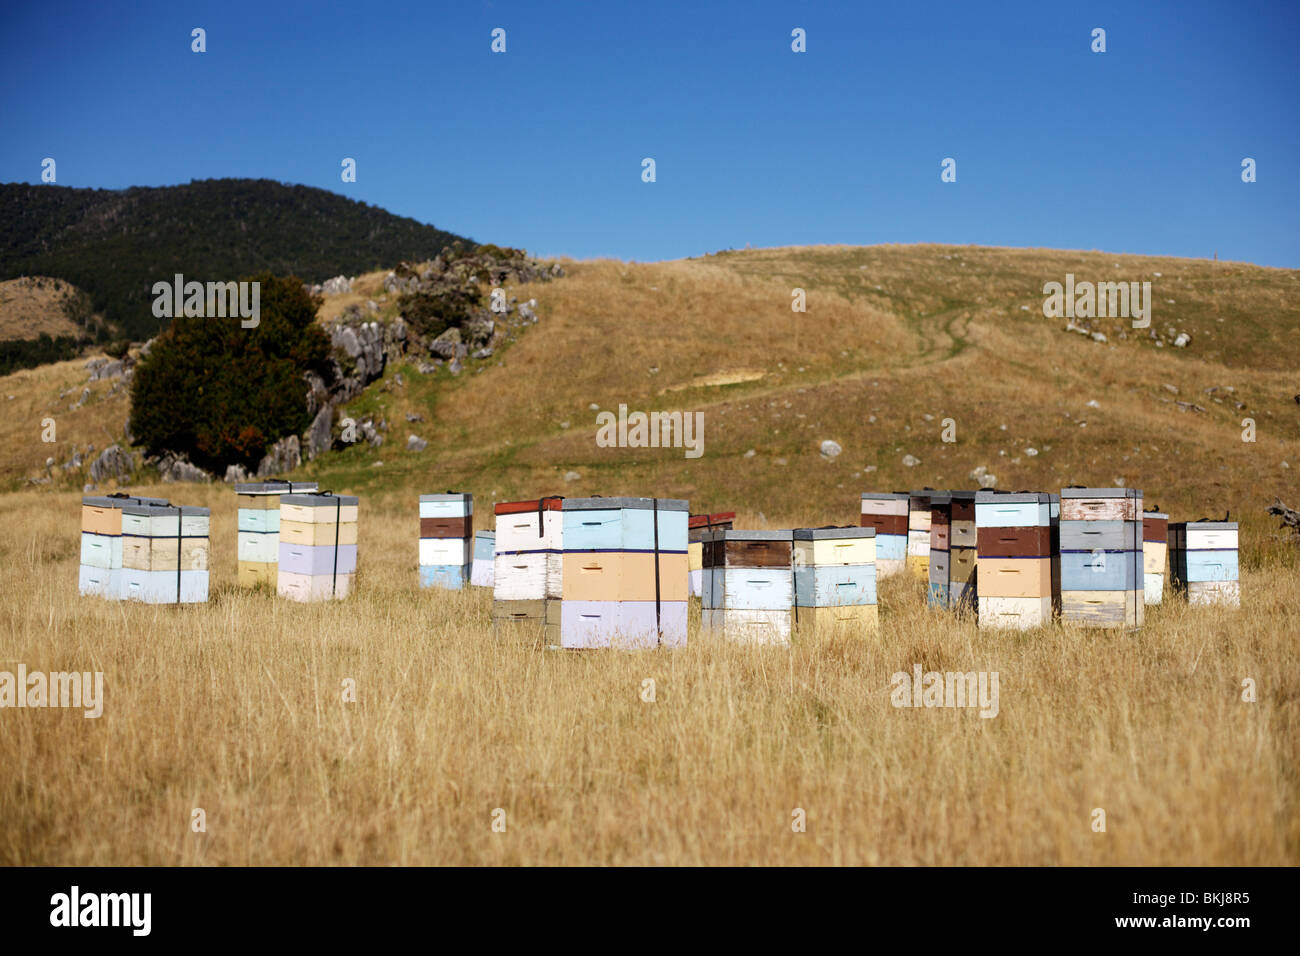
(318, 547)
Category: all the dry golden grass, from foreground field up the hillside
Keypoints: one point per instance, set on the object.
(237, 707)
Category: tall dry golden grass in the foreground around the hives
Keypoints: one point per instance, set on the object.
(236, 708)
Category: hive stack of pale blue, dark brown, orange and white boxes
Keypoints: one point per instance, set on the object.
(1015, 559)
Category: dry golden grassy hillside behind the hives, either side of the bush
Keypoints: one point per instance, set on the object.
(895, 341)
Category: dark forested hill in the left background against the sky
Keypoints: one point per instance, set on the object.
(116, 244)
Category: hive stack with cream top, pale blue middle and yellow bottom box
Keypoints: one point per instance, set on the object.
(835, 579)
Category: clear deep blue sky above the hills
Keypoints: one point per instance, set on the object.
(1136, 150)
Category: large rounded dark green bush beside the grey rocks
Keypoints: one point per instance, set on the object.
(223, 395)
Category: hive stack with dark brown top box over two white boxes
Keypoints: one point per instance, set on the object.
(749, 585)
